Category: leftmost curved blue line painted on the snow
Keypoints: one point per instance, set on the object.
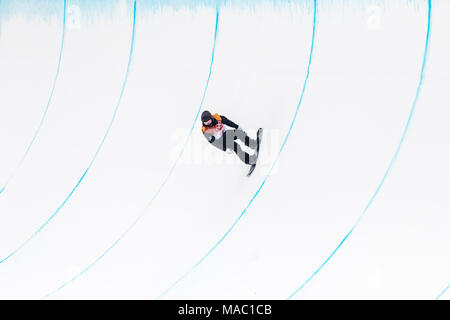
(44, 115)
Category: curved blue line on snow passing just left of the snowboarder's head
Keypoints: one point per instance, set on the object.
(165, 180)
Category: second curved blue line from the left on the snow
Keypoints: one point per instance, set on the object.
(98, 149)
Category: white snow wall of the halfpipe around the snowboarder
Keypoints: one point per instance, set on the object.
(364, 74)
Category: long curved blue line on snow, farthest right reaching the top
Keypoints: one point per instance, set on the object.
(391, 164)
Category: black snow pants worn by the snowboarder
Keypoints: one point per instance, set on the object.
(228, 142)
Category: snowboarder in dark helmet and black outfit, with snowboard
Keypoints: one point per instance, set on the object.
(222, 133)
